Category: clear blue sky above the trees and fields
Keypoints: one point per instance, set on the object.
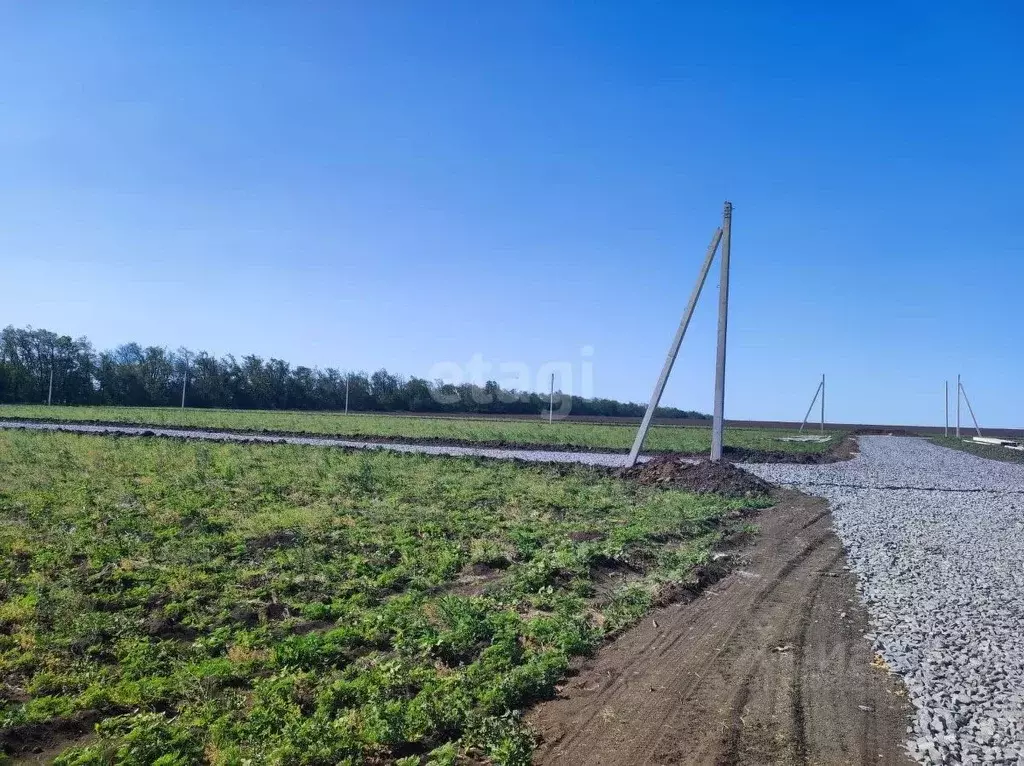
(401, 185)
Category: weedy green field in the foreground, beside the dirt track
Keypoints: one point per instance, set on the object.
(264, 605)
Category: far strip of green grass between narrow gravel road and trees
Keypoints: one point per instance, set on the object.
(563, 435)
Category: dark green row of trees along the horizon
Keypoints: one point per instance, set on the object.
(135, 376)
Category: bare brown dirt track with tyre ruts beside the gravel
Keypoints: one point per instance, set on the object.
(771, 666)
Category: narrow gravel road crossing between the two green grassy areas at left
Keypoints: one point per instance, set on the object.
(534, 456)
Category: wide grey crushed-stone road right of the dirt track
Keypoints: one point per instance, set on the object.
(937, 539)
